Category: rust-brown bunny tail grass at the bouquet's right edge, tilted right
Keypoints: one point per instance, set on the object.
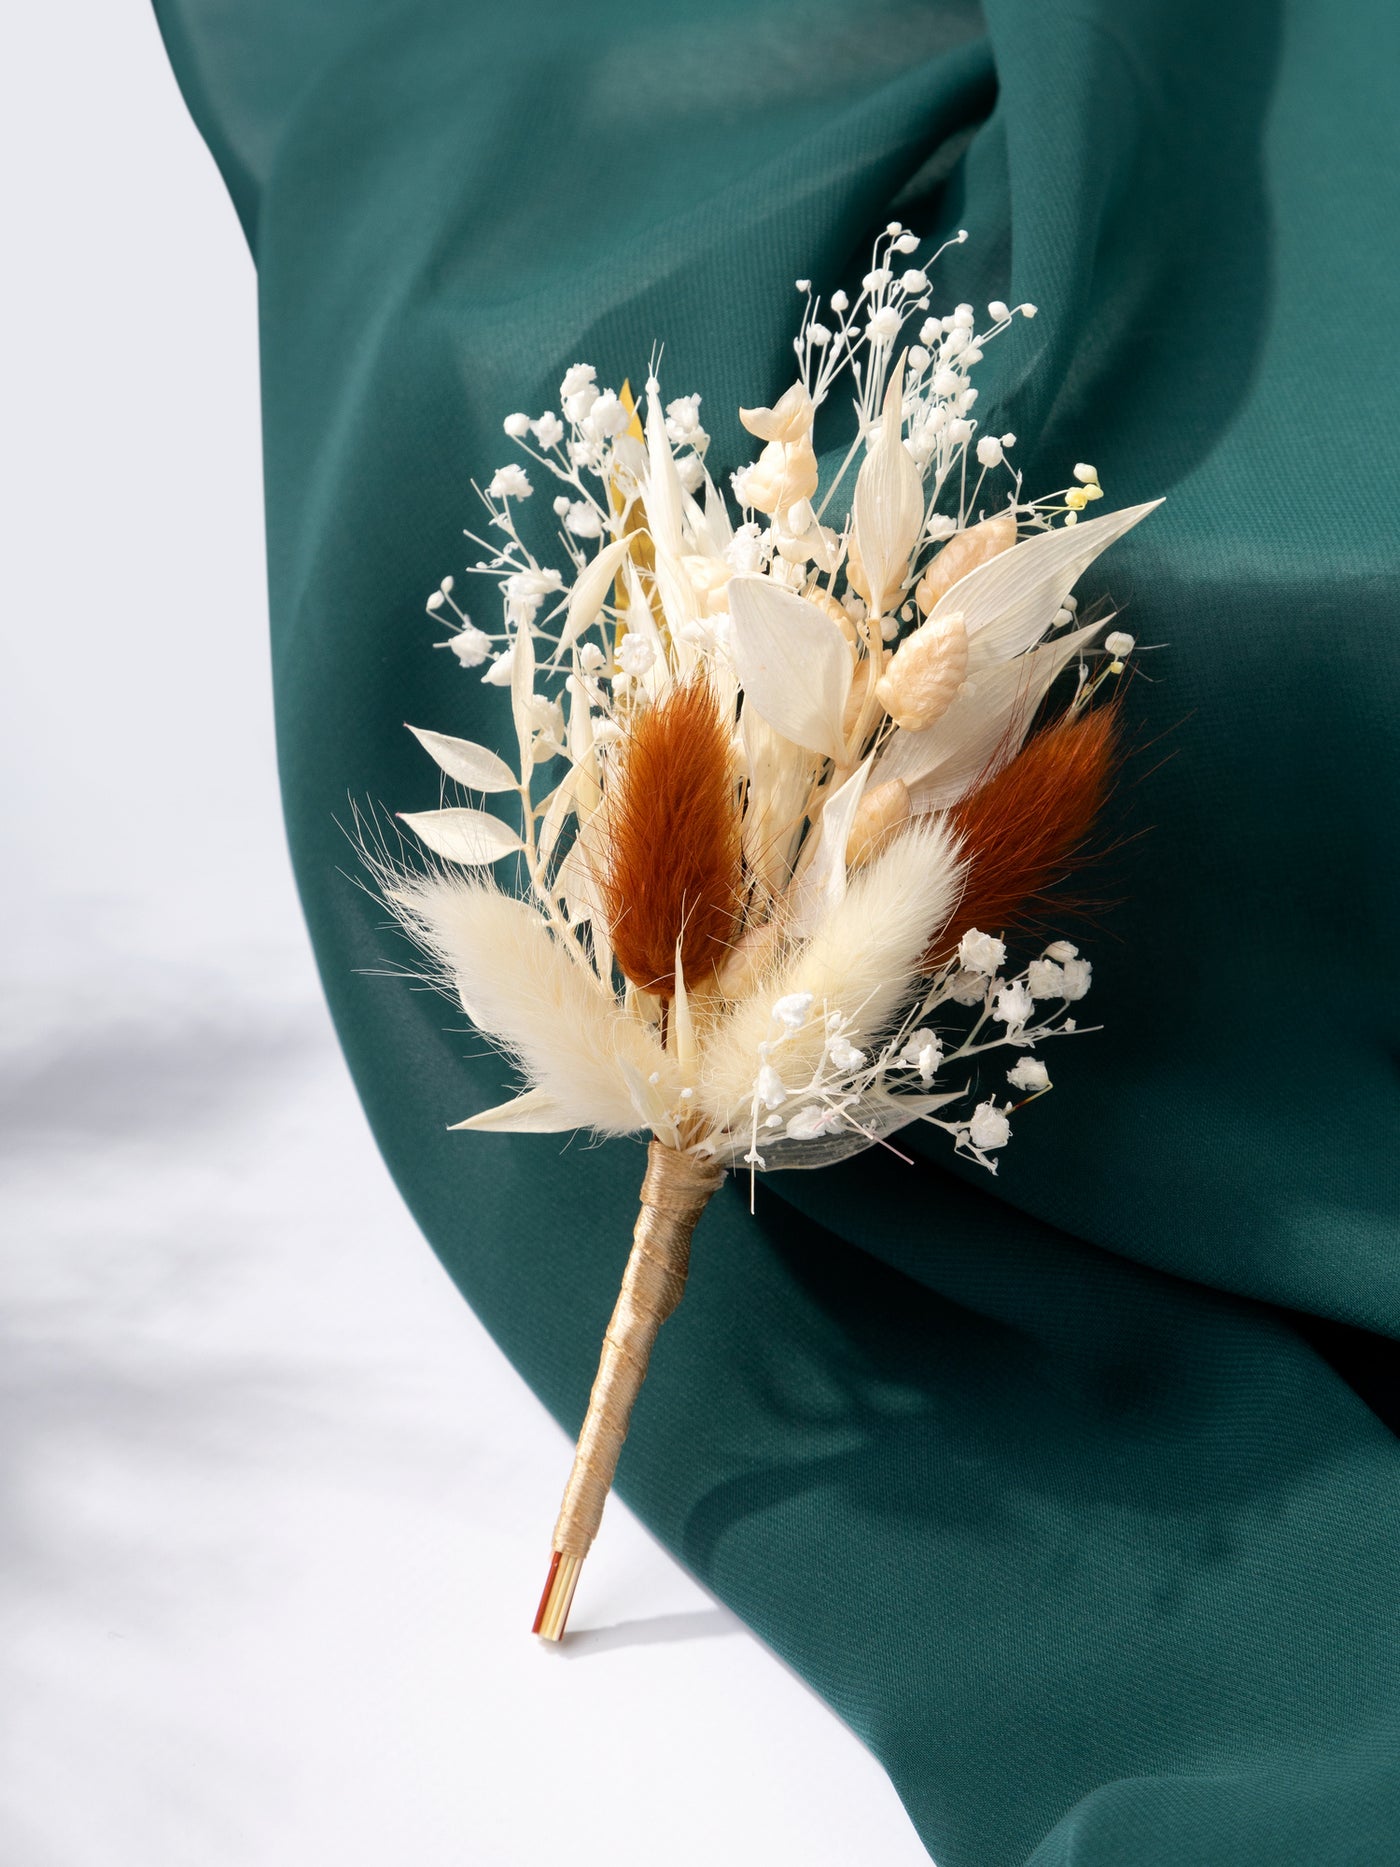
(1028, 828)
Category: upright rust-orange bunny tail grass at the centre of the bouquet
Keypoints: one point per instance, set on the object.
(671, 856)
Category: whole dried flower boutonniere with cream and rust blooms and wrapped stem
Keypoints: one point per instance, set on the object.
(777, 796)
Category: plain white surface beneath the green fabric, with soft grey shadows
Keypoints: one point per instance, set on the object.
(272, 1504)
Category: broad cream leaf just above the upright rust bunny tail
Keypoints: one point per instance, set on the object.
(794, 664)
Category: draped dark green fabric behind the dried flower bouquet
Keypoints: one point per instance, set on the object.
(1063, 1489)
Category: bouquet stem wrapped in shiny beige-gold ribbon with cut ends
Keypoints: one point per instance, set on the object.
(675, 1194)
